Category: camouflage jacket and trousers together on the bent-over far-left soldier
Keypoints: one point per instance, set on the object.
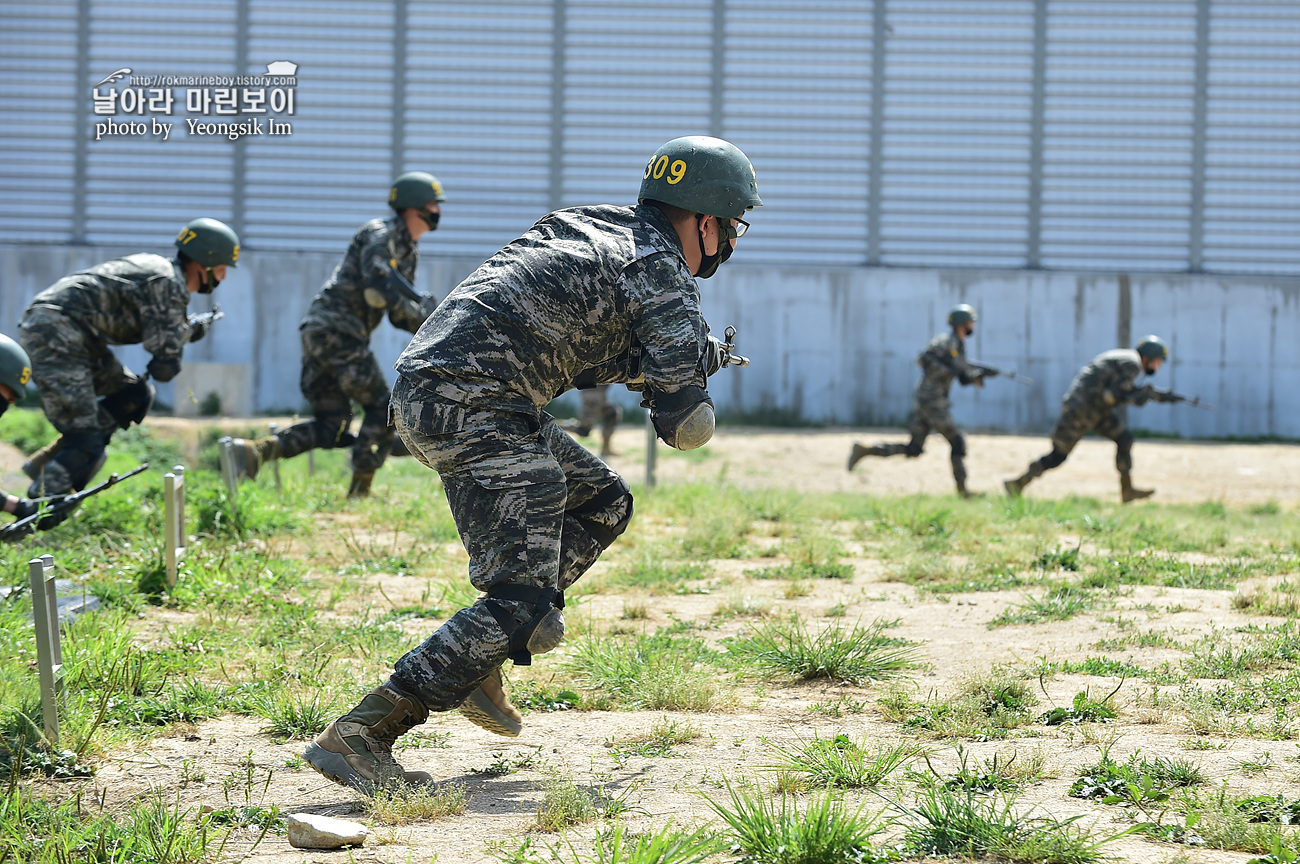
(68, 328)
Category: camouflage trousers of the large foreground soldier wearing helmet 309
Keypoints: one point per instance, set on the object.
(534, 509)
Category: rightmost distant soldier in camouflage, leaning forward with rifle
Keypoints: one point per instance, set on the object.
(1093, 405)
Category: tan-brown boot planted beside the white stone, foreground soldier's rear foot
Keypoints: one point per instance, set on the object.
(357, 750)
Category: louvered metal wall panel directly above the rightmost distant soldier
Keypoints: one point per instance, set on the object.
(1119, 134)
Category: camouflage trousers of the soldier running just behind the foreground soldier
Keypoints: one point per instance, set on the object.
(337, 371)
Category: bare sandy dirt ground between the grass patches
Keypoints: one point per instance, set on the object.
(738, 743)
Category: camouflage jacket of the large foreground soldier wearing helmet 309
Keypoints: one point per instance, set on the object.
(597, 294)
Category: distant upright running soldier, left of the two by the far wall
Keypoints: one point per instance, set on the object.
(943, 361)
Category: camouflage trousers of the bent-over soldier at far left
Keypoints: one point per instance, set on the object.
(72, 368)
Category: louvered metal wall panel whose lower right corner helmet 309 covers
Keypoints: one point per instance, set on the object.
(635, 76)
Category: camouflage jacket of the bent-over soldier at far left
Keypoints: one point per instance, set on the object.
(141, 299)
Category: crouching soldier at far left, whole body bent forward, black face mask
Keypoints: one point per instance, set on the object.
(85, 390)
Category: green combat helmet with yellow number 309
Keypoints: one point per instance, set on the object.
(701, 175)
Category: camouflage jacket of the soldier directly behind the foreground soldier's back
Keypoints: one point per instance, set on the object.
(356, 298)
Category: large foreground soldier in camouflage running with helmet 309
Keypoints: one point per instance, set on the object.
(588, 296)
